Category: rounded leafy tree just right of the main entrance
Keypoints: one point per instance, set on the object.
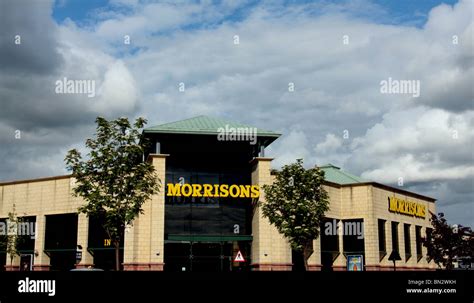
(295, 205)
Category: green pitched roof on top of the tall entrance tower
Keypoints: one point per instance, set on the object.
(203, 125)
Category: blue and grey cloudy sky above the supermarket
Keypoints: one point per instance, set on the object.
(237, 61)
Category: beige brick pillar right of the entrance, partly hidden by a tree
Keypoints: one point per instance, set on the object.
(270, 250)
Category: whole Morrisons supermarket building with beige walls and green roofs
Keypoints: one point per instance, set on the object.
(206, 233)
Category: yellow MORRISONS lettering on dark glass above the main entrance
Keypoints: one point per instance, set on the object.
(213, 190)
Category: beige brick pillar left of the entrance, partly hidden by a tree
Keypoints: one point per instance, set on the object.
(144, 241)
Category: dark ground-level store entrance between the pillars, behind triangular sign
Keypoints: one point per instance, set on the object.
(206, 256)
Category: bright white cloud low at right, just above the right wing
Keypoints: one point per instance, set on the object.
(420, 145)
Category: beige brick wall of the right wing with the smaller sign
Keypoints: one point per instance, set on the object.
(370, 203)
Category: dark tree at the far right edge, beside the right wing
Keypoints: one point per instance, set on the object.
(445, 244)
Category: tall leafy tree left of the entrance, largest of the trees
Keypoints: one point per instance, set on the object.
(114, 179)
